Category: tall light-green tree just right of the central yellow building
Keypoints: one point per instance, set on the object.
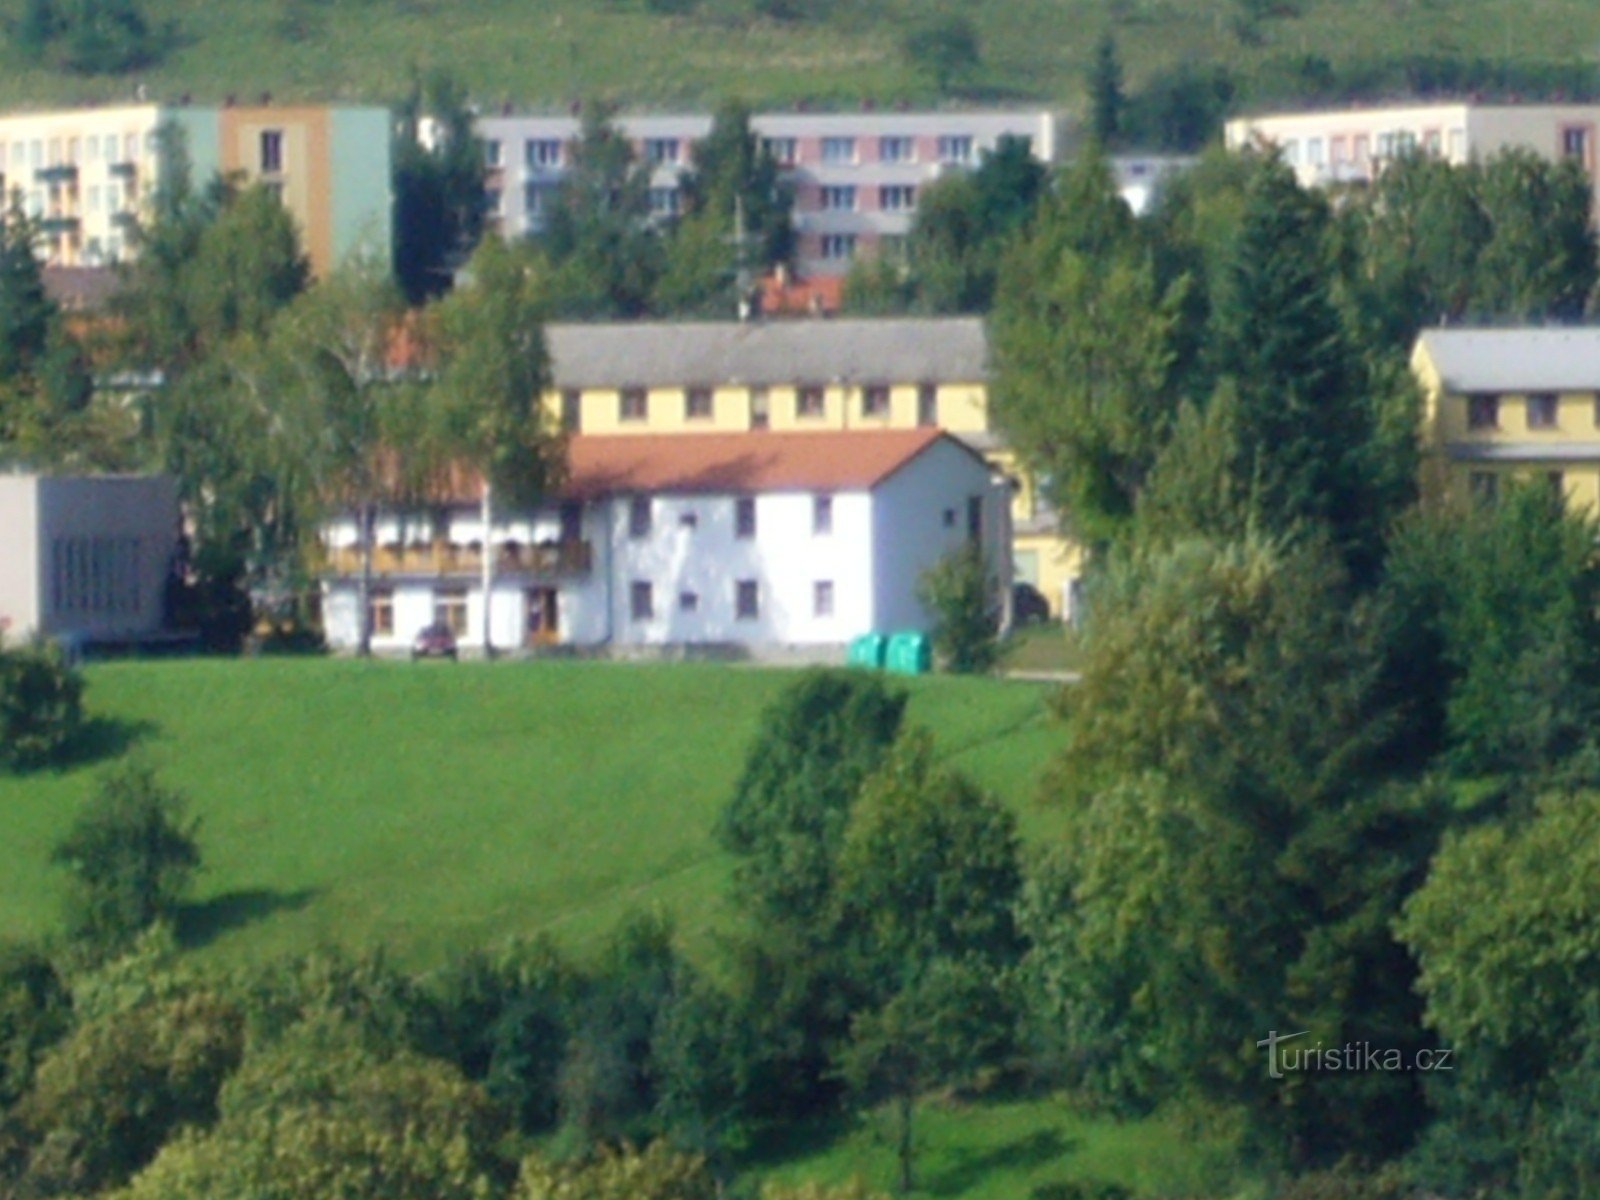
(1086, 343)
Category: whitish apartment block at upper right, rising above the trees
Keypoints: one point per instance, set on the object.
(1350, 146)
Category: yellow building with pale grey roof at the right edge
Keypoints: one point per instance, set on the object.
(1513, 404)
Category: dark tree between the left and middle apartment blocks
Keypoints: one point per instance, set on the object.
(439, 186)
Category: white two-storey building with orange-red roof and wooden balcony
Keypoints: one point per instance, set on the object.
(756, 540)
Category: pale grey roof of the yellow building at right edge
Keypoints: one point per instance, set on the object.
(1516, 361)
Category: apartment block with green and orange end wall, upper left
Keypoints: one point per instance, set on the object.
(87, 175)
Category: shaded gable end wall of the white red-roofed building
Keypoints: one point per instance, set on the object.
(921, 516)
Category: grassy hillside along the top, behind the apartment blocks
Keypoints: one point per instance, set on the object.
(841, 52)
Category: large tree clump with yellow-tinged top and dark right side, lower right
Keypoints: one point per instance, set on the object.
(1236, 842)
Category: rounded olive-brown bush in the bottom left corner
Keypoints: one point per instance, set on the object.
(108, 1097)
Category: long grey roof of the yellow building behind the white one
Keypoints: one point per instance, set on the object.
(772, 354)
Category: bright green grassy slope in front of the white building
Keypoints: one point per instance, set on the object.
(444, 806)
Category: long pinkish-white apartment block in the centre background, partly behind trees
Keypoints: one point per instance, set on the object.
(857, 177)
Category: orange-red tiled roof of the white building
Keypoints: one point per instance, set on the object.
(748, 462)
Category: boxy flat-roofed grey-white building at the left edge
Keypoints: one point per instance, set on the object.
(86, 558)
